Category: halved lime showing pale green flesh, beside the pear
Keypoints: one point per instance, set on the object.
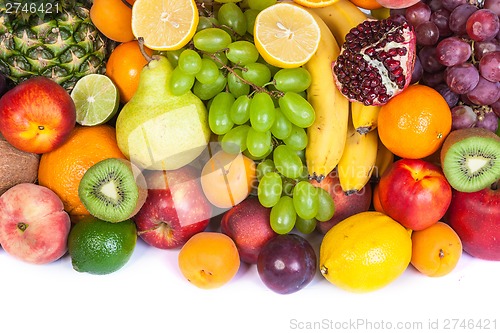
(96, 99)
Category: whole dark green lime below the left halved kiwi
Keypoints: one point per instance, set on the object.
(100, 247)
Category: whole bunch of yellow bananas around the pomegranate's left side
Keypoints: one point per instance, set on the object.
(344, 134)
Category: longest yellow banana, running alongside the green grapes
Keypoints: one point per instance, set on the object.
(327, 135)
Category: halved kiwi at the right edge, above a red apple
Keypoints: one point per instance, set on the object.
(470, 159)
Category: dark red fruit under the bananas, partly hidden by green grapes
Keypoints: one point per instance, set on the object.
(345, 205)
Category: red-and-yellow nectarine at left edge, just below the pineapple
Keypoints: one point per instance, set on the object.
(37, 115)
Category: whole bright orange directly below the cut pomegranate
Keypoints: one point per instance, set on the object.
(414, 123)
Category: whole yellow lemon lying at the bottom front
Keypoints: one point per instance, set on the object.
(365, 252)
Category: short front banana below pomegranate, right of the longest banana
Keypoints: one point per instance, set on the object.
(358, 160)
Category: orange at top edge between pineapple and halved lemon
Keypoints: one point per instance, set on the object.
(113, 19)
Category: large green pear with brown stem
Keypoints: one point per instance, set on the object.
(157, 130)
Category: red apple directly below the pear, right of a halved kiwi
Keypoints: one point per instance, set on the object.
(175, 208)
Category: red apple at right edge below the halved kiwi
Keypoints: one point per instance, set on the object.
(475, 217)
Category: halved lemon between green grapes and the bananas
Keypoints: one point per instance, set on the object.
(286, 35)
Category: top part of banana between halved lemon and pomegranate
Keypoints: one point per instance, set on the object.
(341, 17)
